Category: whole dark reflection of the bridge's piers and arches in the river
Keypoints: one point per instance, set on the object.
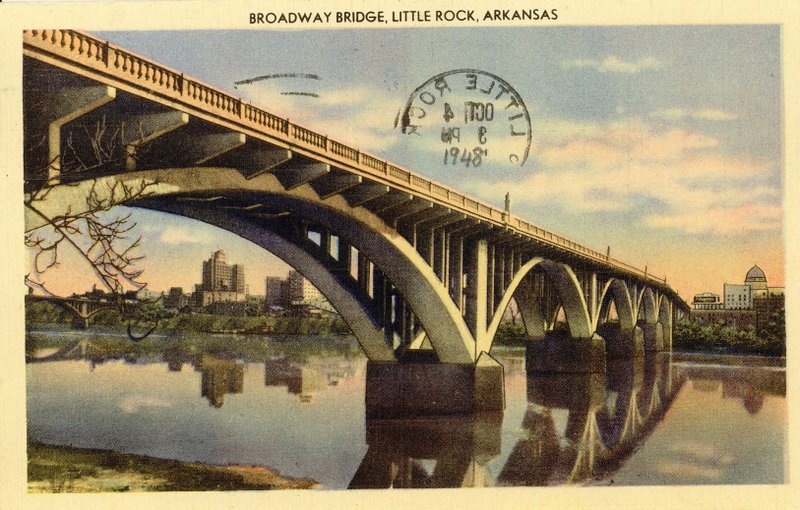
(609, 416)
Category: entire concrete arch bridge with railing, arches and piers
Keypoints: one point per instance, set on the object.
(421, 273)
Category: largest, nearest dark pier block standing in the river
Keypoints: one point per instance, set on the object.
(409, 389)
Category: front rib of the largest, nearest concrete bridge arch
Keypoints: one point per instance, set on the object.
(362, 229)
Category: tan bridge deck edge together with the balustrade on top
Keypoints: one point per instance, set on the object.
(106, 62)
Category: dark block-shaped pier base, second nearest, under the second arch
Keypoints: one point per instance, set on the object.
(558, 352)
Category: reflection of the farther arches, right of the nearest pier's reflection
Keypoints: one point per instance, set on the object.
(608, 415)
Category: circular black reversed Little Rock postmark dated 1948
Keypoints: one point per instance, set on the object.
(473, 116)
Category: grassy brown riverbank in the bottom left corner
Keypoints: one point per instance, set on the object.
(67, 469)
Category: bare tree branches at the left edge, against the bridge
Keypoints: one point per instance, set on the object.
(104, 241)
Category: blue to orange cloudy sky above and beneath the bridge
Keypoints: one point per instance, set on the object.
(663, 143)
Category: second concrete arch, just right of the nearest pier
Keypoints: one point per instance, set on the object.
(566, 283)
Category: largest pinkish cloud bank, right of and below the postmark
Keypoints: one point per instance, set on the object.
(679, 179)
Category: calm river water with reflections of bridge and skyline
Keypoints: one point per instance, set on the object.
(665, 420)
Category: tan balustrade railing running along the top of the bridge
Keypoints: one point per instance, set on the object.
(151, 77)
